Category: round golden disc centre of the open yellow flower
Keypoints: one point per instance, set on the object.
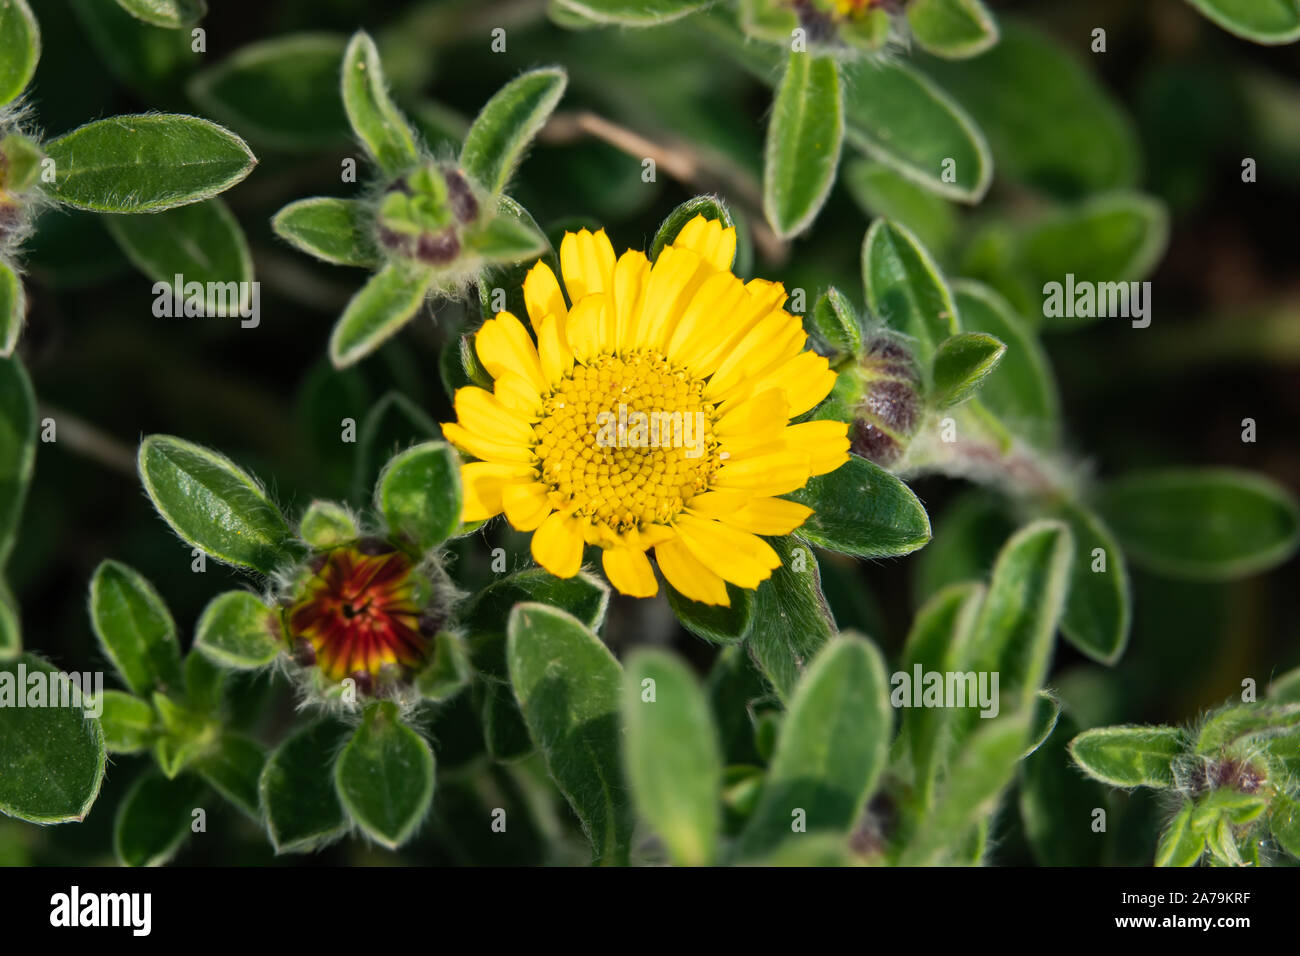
(627, 440)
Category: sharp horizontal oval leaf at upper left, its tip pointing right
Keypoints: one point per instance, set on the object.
(146, 163)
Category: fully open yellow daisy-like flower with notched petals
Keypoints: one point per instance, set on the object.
(651, 414)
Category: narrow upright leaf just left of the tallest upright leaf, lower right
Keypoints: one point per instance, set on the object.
(938, 644)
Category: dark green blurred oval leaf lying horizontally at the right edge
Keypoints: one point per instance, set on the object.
(1202, 524)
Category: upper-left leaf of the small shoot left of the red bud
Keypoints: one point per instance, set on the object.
(135, 629)
